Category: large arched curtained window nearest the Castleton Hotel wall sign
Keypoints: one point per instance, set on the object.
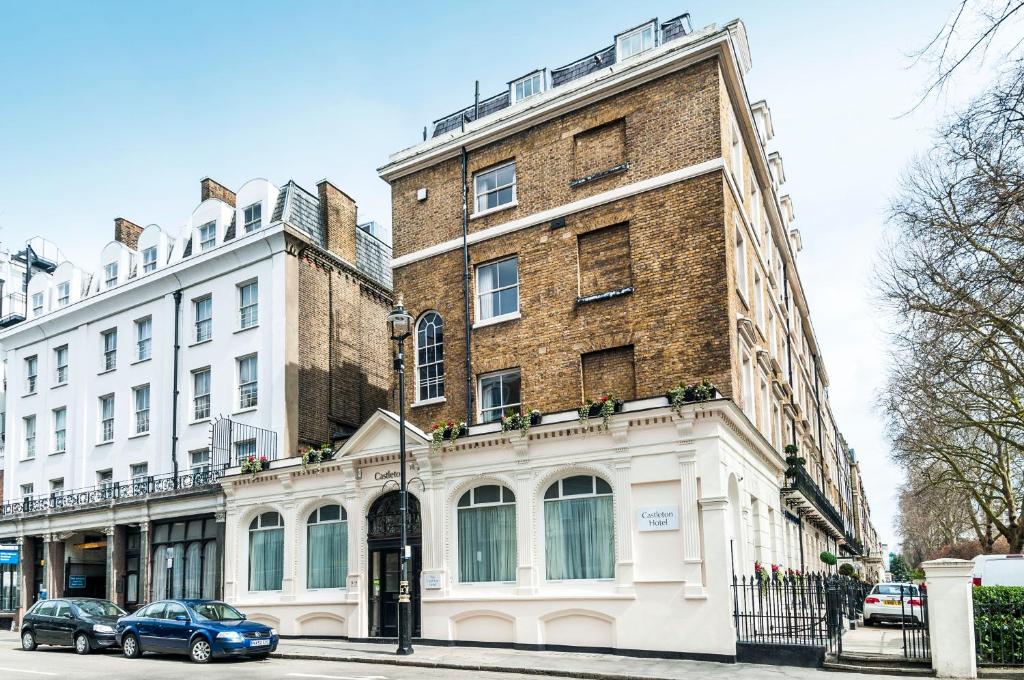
(579, 529)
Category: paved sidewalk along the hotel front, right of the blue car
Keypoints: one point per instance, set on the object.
(565, 664)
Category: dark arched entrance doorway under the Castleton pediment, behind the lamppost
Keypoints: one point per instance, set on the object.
(385, 564)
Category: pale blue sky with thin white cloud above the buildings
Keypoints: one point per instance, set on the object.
(118, 109)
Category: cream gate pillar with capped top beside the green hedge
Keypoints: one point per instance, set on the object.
(951, 618)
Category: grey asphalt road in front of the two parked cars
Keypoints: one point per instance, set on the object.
(61, 663)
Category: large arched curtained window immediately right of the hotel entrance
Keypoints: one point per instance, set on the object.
(487, 535)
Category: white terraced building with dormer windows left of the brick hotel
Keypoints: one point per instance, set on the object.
(131, 391)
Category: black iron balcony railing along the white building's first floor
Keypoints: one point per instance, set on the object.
(110, 493)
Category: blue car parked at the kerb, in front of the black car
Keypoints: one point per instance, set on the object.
(202, 629)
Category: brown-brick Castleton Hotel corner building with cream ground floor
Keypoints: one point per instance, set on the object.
(619, 228)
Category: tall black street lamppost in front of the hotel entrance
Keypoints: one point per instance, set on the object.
(402, 324)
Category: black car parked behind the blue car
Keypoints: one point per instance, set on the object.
(86, 624)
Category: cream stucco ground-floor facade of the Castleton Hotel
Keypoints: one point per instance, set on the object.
(707, 463)
